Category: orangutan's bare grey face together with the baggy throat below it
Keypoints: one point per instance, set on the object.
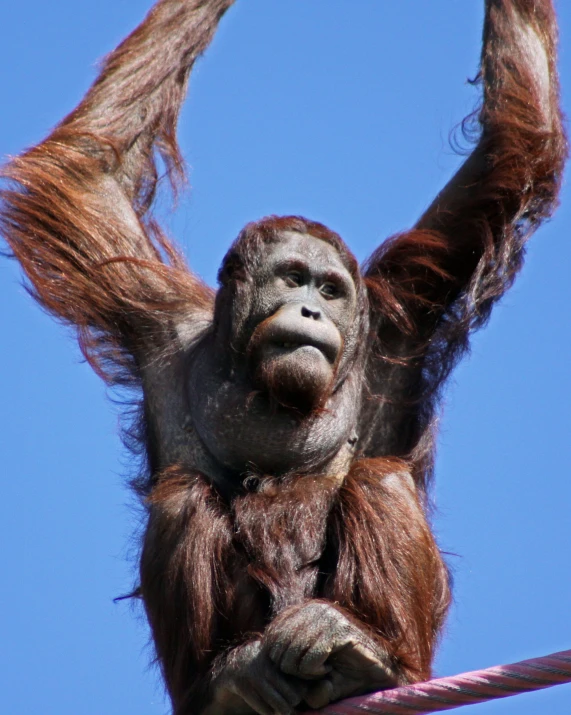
(278, 407)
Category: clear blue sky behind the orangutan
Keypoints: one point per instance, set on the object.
(340, 111)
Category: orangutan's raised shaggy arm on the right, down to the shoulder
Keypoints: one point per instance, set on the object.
(466, 249)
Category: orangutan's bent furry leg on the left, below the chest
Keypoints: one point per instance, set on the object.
(185, 545)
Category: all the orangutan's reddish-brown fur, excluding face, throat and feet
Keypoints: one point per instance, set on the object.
(216, 572)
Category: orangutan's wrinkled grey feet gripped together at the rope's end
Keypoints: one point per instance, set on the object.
(312, 654)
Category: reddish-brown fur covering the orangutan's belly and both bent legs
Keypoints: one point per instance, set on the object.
(365, 546)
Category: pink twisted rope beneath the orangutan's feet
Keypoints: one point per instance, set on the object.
(467, 689)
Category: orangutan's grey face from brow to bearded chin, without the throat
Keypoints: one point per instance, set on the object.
(304, 301)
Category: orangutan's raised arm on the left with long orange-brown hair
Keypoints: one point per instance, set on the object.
(74, 209)
